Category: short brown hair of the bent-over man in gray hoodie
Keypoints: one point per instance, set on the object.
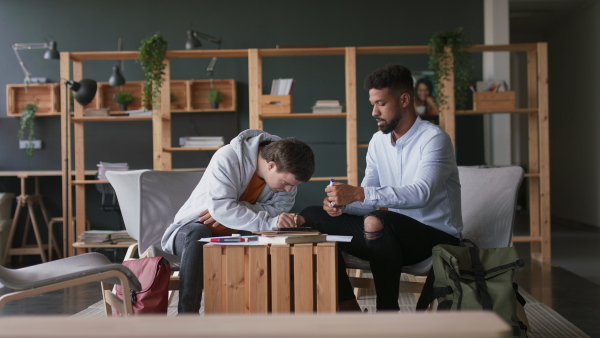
(291, 155)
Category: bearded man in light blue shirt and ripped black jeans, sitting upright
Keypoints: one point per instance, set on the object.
(411, 174)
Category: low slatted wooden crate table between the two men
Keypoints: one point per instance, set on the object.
(278, 278)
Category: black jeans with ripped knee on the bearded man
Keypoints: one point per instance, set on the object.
(402, 241)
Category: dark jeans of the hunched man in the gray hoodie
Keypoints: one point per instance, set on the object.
(191, 274)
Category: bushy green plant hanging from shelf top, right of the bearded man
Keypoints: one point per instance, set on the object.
(439, 64)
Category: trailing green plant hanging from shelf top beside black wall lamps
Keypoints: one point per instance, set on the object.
(152, 53)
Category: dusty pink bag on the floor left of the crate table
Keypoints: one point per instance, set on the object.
(154, 274)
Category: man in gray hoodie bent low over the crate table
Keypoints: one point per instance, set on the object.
(249, 185)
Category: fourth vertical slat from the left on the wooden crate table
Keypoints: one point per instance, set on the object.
(280, 278)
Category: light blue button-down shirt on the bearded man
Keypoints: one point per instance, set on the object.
(417, 177)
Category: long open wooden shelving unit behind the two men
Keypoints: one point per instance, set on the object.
(537, 111)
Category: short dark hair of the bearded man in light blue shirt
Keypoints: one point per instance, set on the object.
(396, 78)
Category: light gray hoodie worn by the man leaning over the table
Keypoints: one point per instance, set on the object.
(226, 177)
